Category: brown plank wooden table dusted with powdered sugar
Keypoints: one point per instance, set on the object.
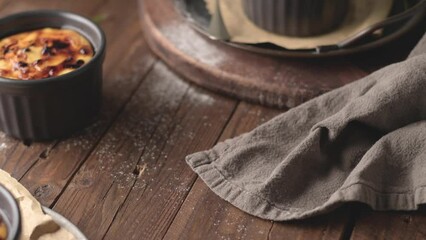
(125, 177)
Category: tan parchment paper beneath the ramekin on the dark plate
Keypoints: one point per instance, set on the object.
(363, 13)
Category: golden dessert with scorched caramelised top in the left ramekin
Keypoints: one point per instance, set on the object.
(43, 53)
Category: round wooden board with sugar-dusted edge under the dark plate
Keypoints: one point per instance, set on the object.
(245, 75)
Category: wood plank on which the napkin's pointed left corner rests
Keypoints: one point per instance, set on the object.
(200, 116)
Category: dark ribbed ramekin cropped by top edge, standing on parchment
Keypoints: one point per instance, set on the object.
(299, 18)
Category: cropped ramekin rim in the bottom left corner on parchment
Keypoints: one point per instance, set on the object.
(9, 214)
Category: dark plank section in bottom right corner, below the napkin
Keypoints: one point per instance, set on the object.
(390, 225)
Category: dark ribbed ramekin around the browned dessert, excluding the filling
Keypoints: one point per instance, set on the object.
(53, 107)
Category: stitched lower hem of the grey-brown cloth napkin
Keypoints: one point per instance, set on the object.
(203, 164)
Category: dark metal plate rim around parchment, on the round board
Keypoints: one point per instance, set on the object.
(197, 14)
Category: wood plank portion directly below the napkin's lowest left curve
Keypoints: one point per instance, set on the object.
(205, 216)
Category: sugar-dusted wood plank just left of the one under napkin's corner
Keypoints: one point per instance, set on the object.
(103, 182)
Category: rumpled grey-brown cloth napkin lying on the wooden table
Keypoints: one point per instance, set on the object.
(363, 142)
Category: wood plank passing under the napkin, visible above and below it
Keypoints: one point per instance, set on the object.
(206, 216)
